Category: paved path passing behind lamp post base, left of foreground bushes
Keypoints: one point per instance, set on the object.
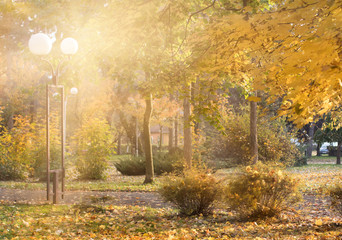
(150, 199)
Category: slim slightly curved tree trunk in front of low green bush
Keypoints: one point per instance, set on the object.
(147, 141)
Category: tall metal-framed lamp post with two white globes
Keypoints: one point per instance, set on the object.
(40, 44)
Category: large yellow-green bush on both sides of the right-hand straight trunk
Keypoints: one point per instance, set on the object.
(274, 142)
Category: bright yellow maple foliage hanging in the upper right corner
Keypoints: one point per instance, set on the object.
(291, 52)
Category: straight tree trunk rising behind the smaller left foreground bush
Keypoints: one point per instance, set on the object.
(187, 130)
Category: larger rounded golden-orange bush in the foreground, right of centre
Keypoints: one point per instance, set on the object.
(261, 191)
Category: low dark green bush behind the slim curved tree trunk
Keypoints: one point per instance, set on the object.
(162, 162)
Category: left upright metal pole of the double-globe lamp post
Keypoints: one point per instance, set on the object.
(47, 143)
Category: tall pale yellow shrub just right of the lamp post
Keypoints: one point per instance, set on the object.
(94, 143)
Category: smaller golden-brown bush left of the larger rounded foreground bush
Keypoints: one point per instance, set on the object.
(193, 193)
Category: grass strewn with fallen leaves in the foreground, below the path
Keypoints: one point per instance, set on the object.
(131, 222)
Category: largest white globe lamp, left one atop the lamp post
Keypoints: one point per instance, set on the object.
(40, 44)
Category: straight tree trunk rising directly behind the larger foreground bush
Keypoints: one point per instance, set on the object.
(253, 130)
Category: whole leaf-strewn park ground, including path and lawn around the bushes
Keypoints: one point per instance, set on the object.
(132, 214)
